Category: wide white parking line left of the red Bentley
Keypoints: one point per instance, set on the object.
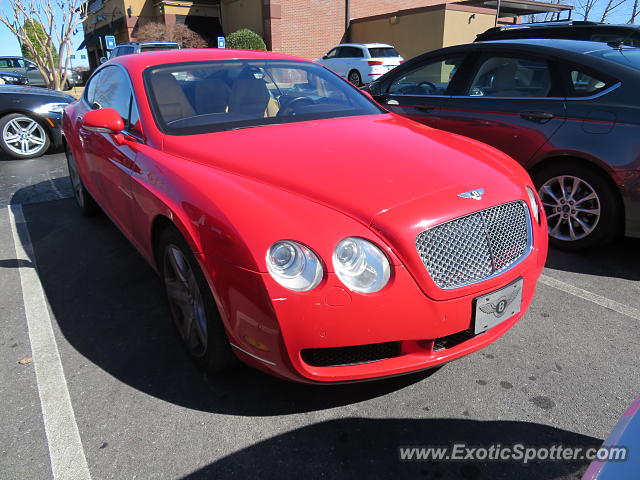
(65, 447)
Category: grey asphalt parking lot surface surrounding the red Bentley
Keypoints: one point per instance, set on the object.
(564, 374)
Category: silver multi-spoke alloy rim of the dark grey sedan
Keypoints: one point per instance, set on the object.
(572, 207)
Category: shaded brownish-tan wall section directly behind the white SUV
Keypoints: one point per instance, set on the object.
(411, 34)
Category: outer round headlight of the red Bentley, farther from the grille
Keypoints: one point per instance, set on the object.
(294, 266)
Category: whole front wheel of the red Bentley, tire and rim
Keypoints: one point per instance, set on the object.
(191, 304)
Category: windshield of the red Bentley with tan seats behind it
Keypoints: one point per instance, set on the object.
(202, 97)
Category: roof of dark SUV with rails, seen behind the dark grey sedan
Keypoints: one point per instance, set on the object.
(569, 30)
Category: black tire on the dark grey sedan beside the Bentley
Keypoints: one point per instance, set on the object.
(609, 223)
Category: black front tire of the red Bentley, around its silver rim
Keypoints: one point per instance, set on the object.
(215, 355)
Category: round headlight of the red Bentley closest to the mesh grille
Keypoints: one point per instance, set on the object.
(360, 265)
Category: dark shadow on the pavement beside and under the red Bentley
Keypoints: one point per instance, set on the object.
(110, 306)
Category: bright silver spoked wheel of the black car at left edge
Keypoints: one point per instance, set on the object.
(23, 137)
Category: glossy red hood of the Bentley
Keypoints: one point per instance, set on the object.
(362, 166)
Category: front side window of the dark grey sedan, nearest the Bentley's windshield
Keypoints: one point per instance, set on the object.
(428, 79)
